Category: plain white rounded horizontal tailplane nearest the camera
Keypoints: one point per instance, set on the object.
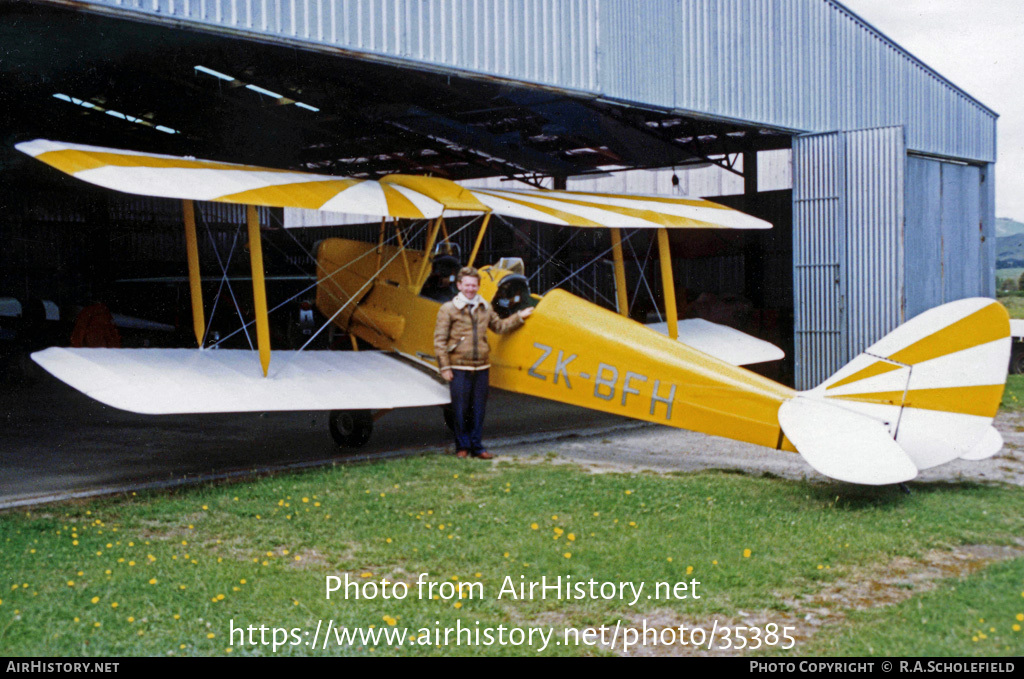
(844, 445)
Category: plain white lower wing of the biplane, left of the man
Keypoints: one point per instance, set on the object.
(177, 381)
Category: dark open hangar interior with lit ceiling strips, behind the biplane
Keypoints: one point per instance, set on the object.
(109, 81)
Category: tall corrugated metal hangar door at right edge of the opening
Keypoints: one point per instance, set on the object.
(847, 246)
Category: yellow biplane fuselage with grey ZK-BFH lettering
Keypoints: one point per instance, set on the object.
(571, 351)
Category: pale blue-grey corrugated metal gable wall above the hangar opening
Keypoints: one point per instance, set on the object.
(802, 65)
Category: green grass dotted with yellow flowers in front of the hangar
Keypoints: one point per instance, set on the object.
(182, 567)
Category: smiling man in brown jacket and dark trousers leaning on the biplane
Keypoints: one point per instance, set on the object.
(461, 346)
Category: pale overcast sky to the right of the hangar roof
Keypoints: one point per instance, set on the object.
(979, 47)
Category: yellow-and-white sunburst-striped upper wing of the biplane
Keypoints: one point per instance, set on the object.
(393, 196)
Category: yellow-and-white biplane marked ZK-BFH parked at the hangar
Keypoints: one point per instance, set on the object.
(921, 397)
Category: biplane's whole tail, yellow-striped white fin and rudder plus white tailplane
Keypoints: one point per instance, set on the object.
(933, 386)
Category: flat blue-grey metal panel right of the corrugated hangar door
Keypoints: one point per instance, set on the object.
(951, 234)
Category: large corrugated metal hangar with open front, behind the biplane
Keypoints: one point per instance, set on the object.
(890, 210)
